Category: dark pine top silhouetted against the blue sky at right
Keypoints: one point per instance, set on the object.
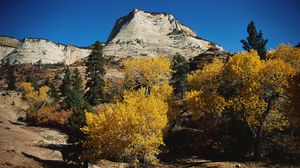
(255, 41)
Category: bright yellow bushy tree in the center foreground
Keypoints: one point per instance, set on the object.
(129, 130)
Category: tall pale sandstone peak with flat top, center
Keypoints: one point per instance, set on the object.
(148, 34)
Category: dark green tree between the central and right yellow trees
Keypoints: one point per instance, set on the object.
(181, 67)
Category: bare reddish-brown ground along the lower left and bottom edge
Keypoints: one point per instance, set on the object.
(20, 144)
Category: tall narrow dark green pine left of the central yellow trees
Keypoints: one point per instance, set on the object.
(94, 73)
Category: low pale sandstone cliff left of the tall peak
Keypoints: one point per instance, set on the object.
(32, 50)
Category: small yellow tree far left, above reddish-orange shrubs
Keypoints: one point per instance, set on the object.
(35, 98)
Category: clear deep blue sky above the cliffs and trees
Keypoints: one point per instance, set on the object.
(82, 22)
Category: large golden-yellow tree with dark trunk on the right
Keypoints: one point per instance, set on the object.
(246, 86)
